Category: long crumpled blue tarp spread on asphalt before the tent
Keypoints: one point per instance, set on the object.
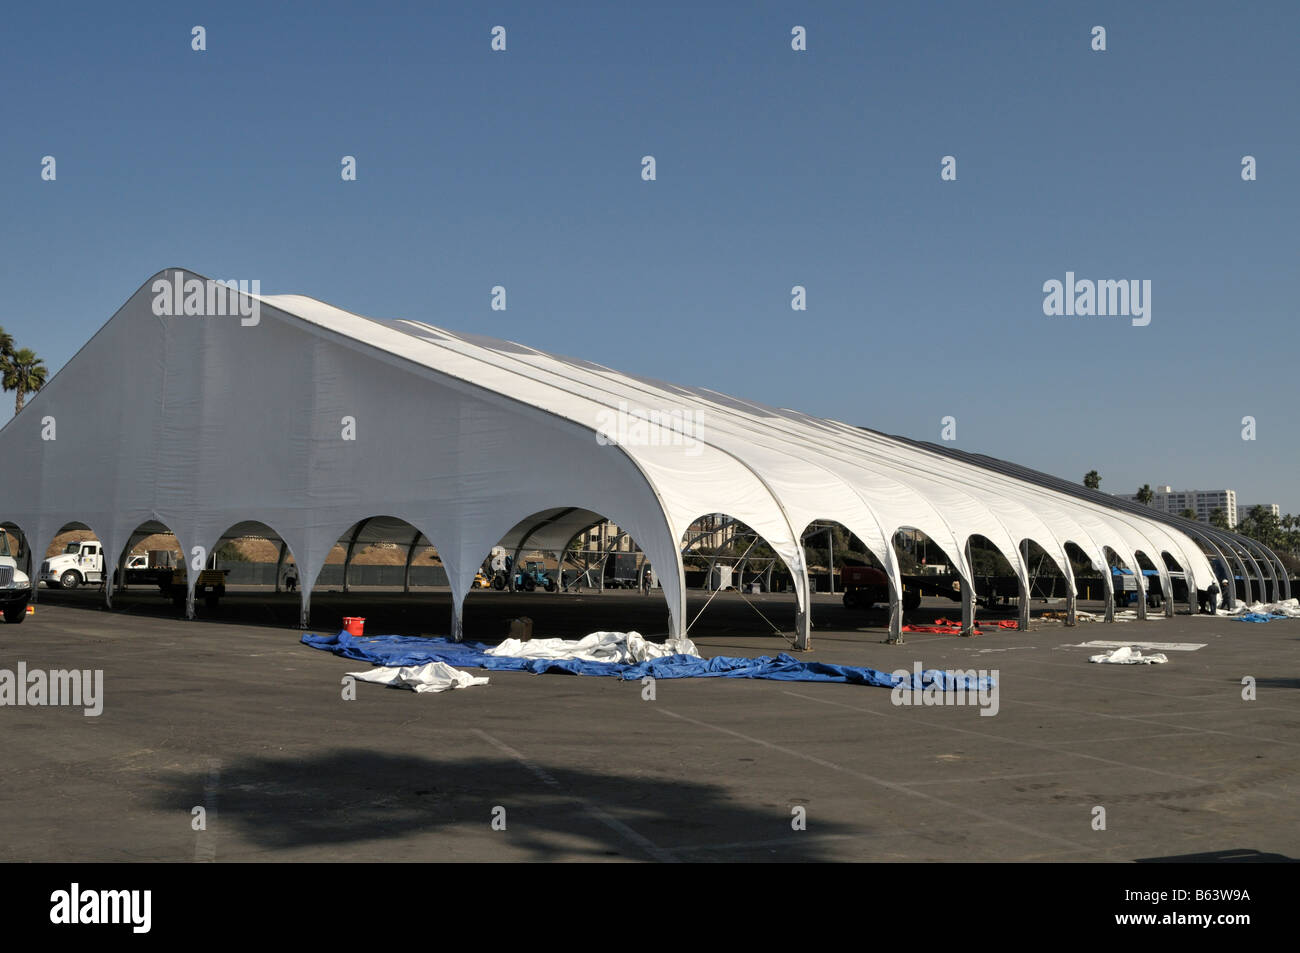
(409, 651)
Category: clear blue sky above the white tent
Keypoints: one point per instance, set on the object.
(774, 170)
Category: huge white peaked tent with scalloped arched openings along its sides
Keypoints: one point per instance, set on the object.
(311, 426)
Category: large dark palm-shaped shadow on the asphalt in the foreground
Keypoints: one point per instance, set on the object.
(352, 798)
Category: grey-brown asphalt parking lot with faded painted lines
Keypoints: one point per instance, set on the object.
(235, 716)
